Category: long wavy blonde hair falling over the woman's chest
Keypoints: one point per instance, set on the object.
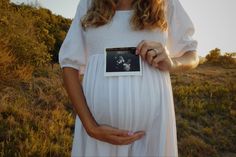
(148, 14)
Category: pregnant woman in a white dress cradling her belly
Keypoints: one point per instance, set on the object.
(121, 116)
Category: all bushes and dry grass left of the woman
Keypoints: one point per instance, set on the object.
(35, 116)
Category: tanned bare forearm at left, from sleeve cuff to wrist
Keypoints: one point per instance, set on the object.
(76, 95)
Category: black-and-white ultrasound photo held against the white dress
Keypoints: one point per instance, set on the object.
(122, 61)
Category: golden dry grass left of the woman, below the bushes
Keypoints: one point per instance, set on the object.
(35, 118)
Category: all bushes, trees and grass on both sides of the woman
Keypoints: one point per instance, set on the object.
(36, 118)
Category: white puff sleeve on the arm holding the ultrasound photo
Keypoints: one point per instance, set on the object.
(180, 30)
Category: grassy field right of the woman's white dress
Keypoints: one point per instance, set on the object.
(205, 101)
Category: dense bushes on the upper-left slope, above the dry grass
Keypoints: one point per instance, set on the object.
(33, 34)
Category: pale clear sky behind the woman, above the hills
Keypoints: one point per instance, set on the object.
(214, 20)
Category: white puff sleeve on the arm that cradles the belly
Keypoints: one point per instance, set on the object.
(73, 51)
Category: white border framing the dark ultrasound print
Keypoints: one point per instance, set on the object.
(125, 73)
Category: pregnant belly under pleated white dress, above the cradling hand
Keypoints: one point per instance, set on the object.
(125, 102)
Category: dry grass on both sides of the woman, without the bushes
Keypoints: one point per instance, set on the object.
(36, 118)
